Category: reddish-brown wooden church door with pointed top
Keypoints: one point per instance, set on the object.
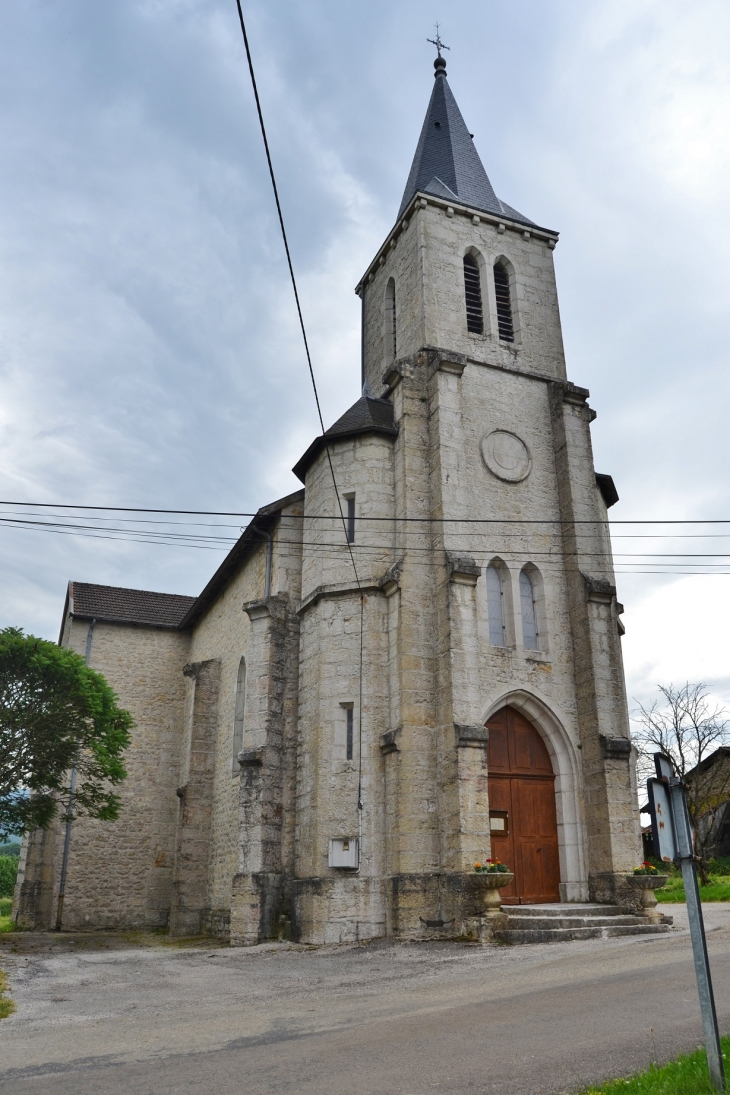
(523, 816)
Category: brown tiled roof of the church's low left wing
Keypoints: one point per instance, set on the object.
(129, 606)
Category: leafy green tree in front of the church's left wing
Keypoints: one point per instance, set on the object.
(56, 712)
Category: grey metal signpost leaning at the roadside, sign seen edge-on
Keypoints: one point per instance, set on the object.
(675, 843)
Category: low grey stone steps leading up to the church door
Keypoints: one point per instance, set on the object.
(561, 924)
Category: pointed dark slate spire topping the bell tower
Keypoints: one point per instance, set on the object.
(447, 165)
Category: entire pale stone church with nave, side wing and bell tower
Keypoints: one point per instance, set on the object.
(358, 708)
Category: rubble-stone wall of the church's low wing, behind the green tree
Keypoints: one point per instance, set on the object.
(120, 873)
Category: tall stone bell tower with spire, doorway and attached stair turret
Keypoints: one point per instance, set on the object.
(491, 717)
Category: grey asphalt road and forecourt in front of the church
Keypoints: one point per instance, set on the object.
(98, 1017)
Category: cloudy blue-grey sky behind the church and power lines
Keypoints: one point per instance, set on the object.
(149, 351)
